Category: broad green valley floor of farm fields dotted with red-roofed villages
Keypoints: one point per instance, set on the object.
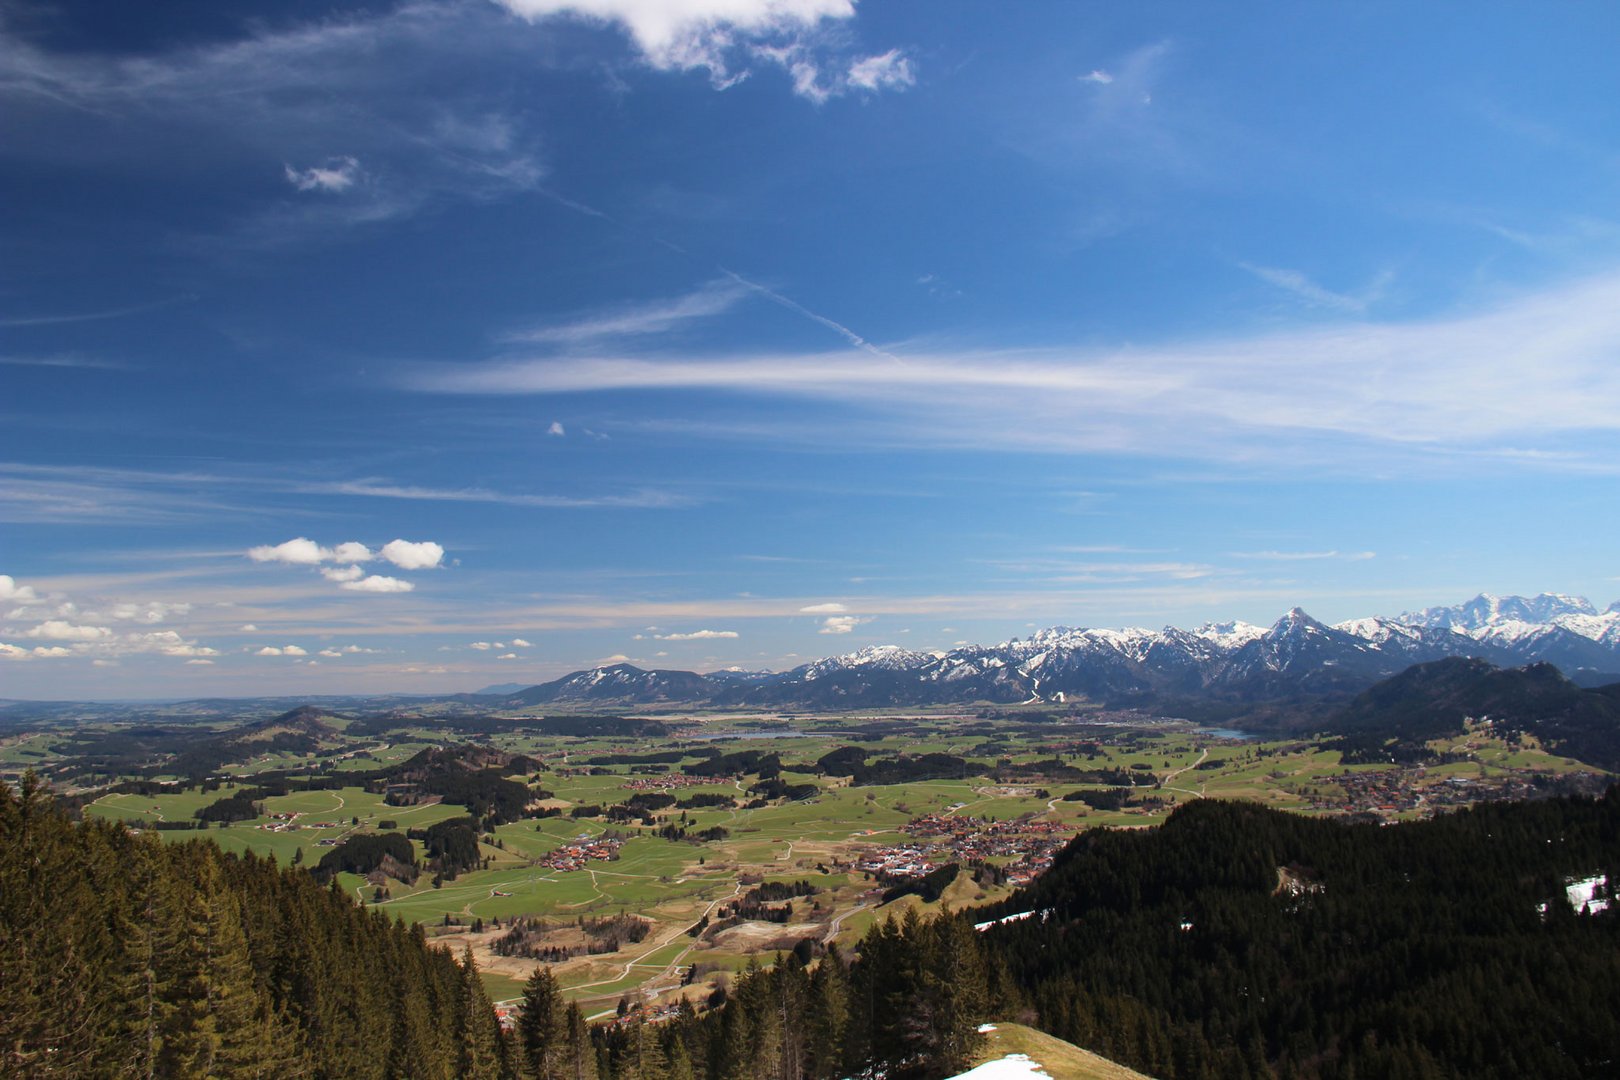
(668, 875)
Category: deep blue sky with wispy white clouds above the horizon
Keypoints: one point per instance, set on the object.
(356, 347)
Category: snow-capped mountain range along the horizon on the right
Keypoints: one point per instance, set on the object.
(1229, 661)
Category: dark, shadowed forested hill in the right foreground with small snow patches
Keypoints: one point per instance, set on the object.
(1238, 942)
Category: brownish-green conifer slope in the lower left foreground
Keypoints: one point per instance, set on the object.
(122, 956)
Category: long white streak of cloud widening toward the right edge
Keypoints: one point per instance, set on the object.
(1540, 373)
